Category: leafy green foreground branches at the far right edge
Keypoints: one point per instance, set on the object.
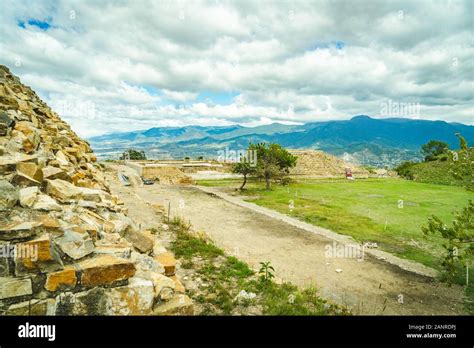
(459, 236)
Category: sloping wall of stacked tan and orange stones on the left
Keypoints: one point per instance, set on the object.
(67, 246)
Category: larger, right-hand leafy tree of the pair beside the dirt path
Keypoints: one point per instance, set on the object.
(273, 161)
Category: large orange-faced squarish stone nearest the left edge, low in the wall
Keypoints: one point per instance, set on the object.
(37, 254)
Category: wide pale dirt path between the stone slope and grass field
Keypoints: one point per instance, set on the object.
(298, 255)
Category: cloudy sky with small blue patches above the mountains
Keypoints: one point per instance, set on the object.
(108, 66)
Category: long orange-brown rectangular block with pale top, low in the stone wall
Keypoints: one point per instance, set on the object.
(105, 270)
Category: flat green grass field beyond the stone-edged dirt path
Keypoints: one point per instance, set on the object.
(389, 212)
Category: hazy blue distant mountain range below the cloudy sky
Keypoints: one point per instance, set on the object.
(362, 139)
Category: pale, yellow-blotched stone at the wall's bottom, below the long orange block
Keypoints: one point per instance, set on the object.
(135, 299)
